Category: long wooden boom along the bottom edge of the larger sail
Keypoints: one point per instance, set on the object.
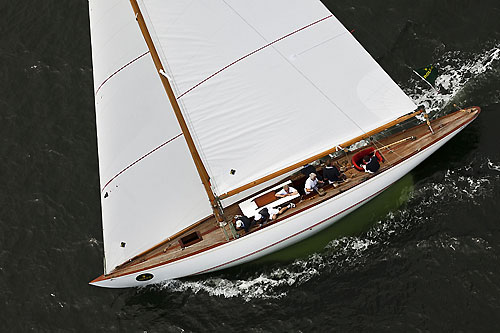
(317, 156)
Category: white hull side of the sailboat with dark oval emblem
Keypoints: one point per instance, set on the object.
(281, 234)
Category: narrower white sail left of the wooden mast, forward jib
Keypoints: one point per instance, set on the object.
(150, 186)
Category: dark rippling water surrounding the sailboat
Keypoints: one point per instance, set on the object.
(427, 261)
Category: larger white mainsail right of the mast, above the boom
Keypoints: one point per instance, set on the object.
(265, 84)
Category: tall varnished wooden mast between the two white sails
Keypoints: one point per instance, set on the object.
(205, 178)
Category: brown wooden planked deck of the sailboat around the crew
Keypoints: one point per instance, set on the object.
(213, 235)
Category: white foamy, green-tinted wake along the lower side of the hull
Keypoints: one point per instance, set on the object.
(343, 246)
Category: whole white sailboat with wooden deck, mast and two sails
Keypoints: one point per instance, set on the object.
(205, 109)
